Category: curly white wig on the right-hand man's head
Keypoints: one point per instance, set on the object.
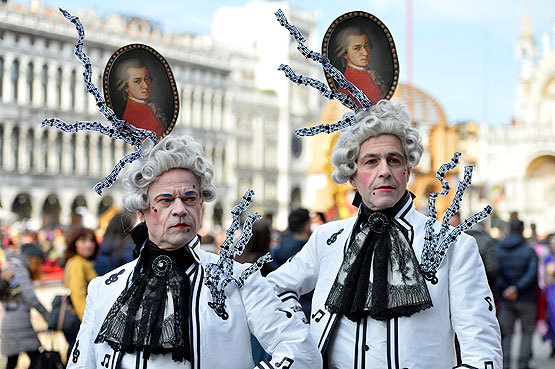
(386, 116)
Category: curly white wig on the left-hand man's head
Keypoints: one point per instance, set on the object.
(169, 153)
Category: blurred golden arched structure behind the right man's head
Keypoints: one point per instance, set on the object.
(438, 139)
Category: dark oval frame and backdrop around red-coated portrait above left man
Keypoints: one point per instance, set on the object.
(163, 99)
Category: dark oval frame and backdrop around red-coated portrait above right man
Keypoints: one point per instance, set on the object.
(383, 65)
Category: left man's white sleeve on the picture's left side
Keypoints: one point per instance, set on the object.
(83, 354)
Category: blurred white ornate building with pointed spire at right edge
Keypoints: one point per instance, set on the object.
(518, 160)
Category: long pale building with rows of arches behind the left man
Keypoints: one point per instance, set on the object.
(47, 175)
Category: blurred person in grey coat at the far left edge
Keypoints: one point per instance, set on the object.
(18, 334)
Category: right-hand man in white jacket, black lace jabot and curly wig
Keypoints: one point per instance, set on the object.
(373, 306)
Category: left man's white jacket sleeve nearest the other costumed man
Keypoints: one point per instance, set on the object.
(277, 329)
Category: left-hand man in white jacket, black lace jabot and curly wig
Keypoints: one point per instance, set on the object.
(158, 311)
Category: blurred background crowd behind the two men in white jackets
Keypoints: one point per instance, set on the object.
(520, 272)
